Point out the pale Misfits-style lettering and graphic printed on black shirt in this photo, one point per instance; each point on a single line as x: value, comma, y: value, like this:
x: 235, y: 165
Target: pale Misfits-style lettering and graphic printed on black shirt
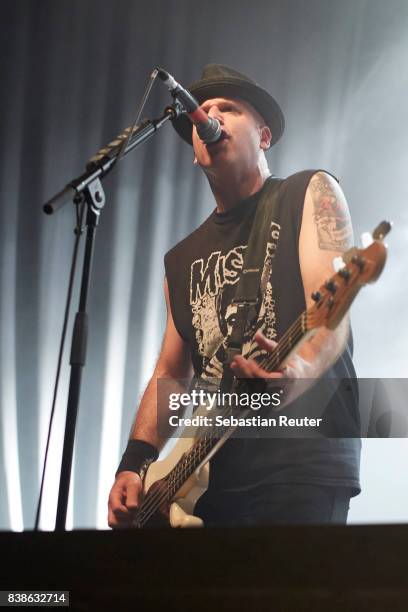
x: 211, y: 291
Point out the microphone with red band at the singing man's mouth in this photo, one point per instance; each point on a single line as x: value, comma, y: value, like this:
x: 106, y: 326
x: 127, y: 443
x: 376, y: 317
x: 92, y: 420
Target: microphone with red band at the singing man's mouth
x: 208, y: 129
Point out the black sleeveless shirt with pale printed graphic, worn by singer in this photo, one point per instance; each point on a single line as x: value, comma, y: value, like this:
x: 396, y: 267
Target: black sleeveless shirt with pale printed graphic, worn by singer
x: 202, y: 271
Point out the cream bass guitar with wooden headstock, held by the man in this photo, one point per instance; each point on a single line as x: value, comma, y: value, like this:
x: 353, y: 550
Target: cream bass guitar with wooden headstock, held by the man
x: 173, y: 485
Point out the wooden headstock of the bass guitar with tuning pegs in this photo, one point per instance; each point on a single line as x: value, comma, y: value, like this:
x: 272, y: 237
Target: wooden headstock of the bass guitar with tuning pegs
x: 361, y: 266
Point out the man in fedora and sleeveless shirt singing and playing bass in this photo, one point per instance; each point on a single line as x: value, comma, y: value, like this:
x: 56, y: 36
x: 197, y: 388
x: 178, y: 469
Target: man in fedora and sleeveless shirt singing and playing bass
x: 264, y: 480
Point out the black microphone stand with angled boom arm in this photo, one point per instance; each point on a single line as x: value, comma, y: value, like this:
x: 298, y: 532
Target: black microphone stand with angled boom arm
x: 88, y: 189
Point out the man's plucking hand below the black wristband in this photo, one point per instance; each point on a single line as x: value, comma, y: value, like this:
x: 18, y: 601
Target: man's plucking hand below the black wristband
x: 124, y: 500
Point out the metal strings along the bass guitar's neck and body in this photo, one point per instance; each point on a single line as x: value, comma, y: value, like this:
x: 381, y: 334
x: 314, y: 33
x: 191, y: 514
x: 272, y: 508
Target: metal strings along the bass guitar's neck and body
x: 153, y: 502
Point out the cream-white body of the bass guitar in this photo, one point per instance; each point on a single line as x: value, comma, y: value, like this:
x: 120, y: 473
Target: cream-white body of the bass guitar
x: 182, y: 508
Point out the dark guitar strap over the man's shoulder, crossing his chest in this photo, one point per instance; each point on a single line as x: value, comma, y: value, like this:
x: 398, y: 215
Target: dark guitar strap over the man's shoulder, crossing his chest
x: 247, y: 295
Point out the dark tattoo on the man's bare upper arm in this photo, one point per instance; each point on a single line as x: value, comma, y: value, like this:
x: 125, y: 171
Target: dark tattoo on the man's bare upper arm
x: 331, y: 215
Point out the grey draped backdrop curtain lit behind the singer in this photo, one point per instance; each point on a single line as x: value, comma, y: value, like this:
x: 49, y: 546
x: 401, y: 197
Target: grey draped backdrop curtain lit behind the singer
x: 72, y: 73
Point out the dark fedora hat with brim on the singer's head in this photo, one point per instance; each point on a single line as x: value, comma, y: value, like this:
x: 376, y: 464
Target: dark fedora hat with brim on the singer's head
x: 220, y: 81
